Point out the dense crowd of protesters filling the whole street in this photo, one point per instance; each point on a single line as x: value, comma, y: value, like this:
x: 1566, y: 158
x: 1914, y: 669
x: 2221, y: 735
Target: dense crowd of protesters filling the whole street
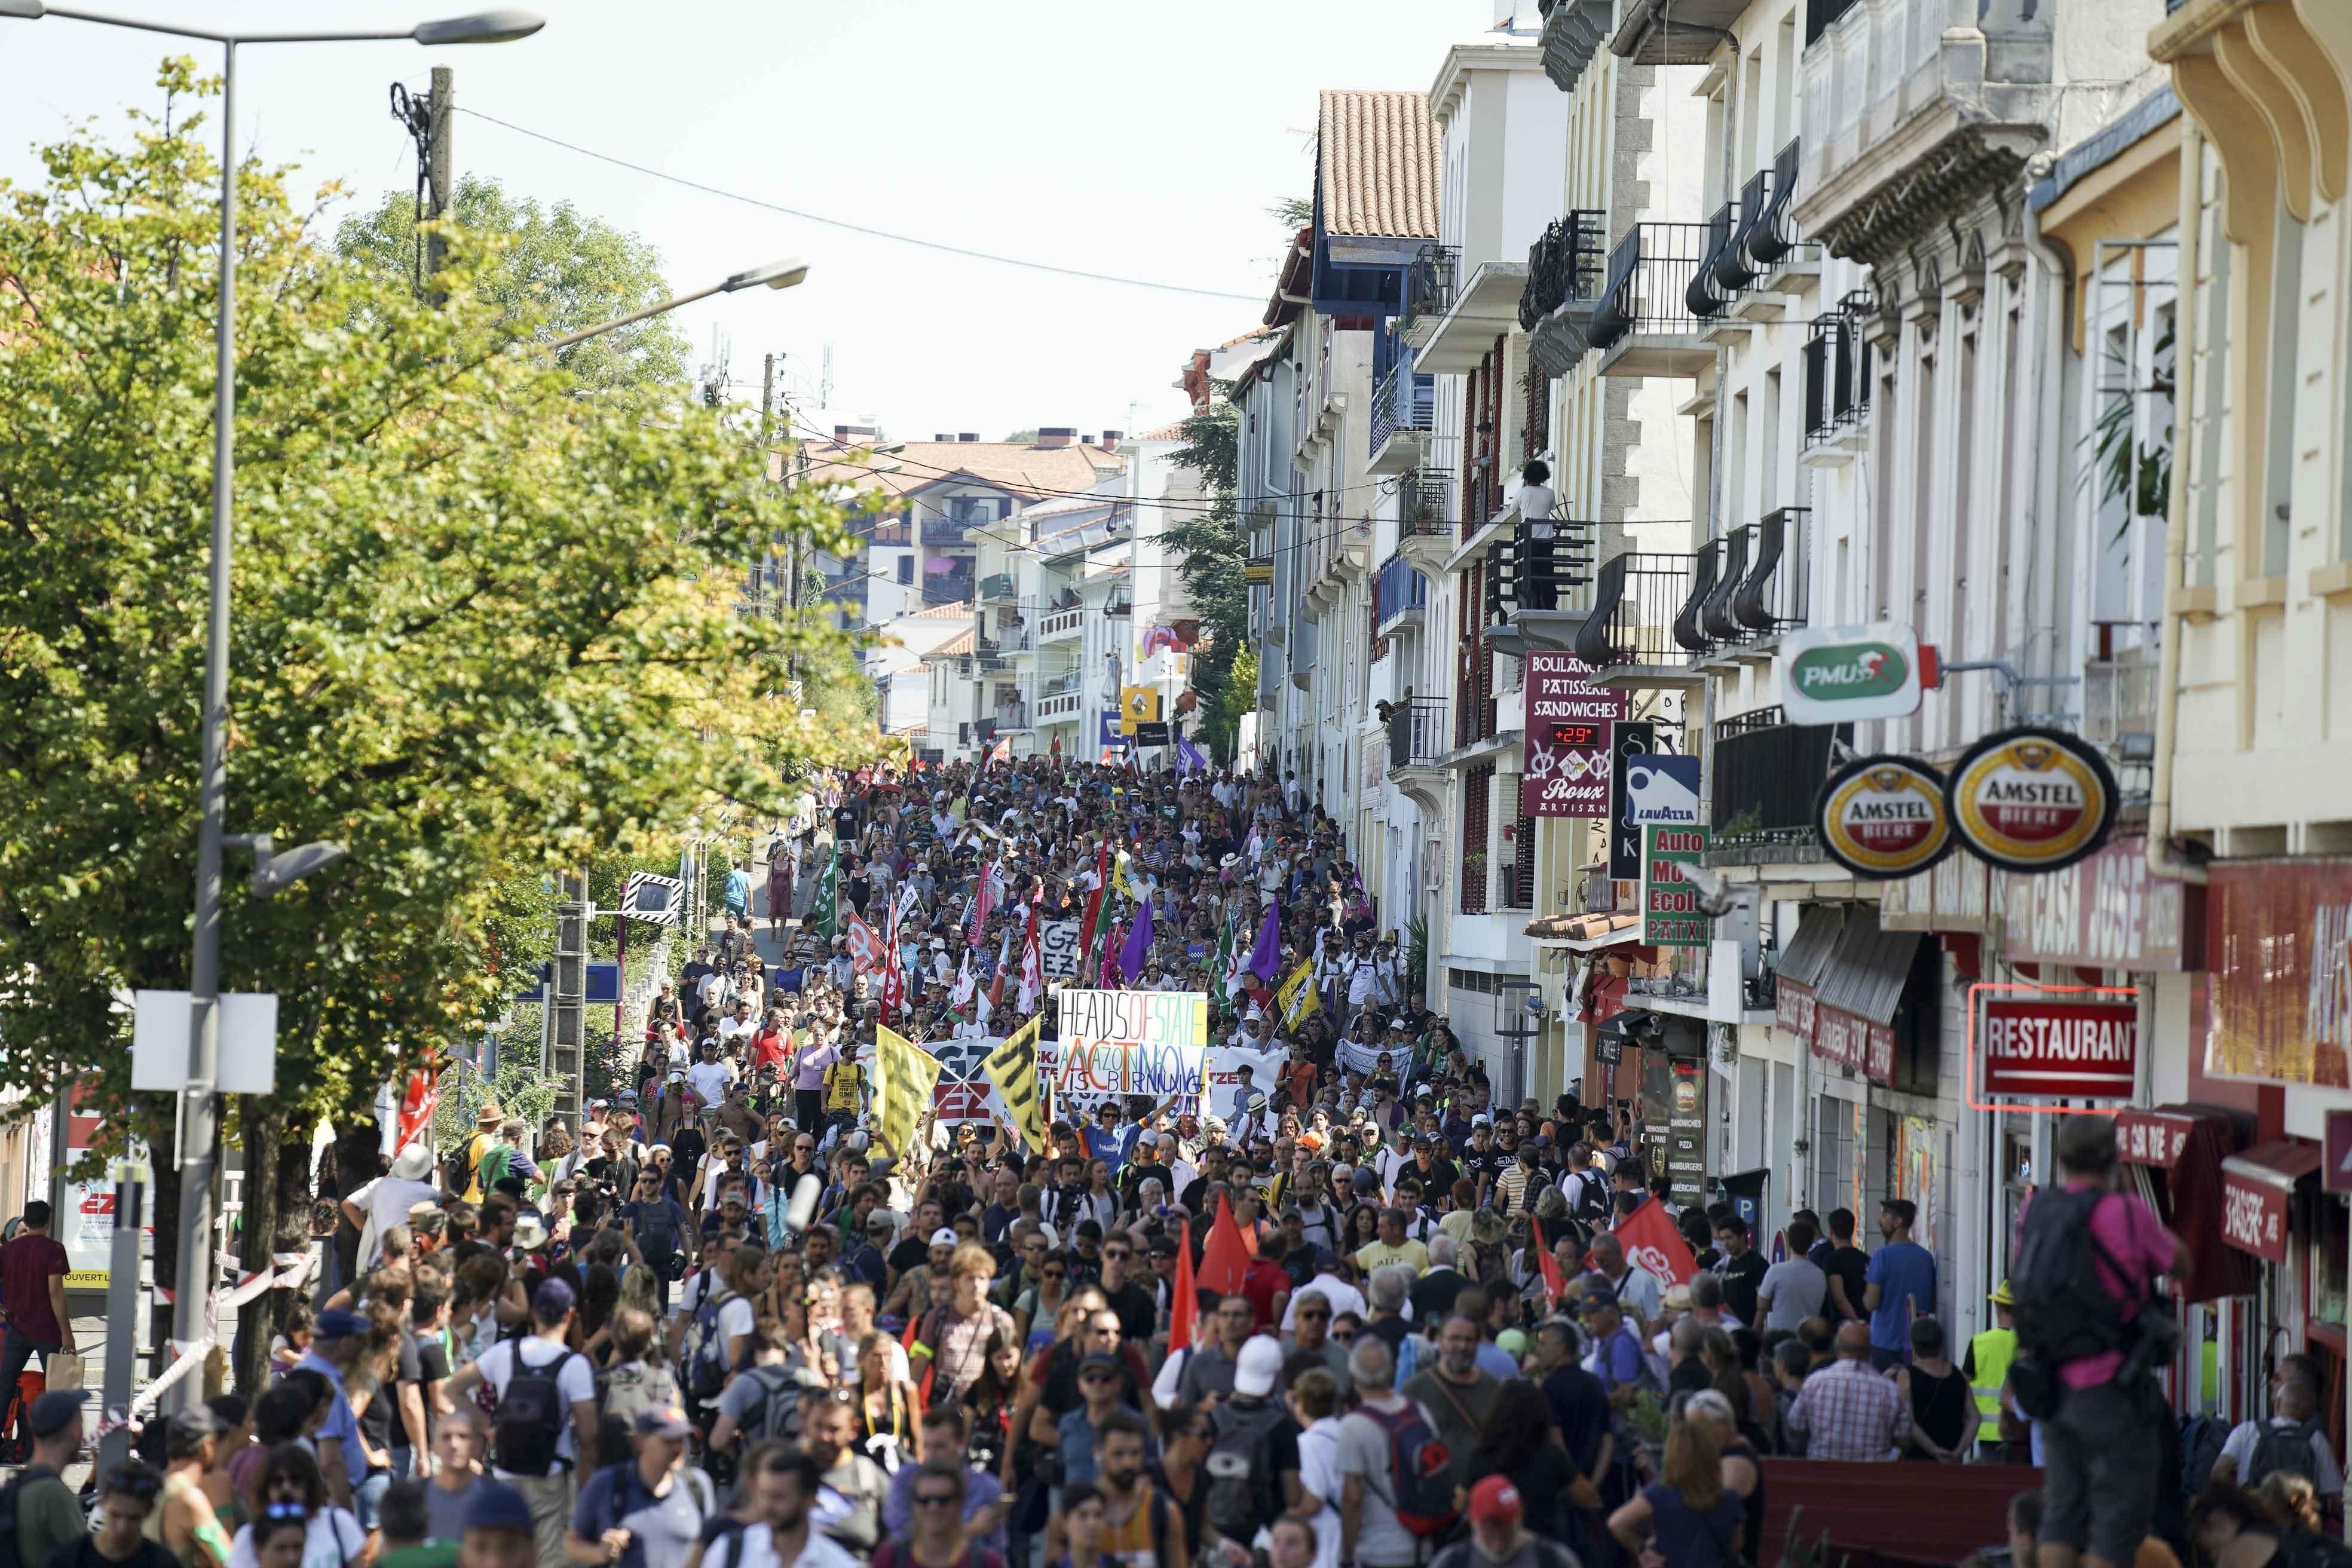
x: 726, y: 1322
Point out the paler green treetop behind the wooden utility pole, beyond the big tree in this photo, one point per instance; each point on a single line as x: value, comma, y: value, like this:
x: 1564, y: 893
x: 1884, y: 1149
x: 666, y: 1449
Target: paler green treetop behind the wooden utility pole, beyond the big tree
x: 552, y: 272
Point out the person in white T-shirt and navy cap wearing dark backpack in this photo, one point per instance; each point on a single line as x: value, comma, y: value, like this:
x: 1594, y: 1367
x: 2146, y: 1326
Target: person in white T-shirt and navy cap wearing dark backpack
x: 540, y: 1398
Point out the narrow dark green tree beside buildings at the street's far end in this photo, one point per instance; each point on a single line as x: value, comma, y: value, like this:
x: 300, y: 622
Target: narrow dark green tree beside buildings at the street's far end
x: 1212, y: 558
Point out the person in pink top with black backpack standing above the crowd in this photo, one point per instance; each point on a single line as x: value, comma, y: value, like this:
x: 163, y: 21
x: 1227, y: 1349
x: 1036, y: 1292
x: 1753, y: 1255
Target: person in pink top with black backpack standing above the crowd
x: 2090, y: 1332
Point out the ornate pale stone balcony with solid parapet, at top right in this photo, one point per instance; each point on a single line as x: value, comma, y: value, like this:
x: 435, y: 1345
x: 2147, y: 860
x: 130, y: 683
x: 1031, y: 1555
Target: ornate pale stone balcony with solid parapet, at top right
x: 1904, y: 128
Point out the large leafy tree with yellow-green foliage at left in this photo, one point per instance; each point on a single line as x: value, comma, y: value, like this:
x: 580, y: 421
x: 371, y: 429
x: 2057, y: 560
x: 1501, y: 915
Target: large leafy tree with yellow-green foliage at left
x: 483, y: 631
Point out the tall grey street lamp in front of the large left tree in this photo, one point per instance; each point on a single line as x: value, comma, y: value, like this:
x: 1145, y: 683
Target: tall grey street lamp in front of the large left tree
x: 199, y: 1127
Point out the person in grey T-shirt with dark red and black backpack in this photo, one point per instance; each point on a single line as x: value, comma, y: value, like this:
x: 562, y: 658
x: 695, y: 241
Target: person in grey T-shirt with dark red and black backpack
x: 1396, y: 1477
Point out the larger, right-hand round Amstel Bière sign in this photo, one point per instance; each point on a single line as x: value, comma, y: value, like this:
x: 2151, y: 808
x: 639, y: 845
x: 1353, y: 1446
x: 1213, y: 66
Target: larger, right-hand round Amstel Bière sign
x: 2031, y: 800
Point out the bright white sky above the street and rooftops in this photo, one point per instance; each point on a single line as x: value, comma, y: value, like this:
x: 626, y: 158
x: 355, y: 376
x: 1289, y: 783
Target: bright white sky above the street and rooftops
x: 1130, y: 138
